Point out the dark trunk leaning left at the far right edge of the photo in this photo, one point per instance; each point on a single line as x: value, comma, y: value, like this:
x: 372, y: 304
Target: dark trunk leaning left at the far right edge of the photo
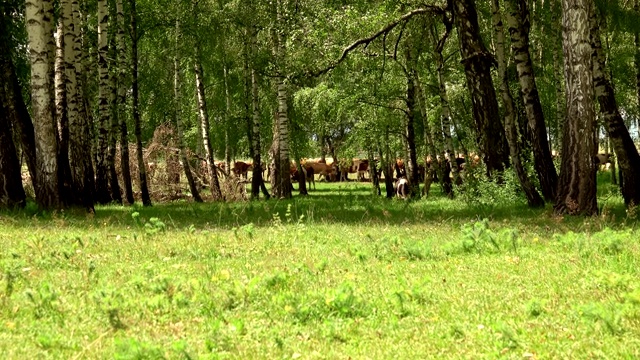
x: 627, y: 154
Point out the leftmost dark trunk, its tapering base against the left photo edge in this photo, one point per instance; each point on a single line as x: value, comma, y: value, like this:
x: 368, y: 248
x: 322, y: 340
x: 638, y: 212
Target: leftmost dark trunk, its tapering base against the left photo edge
x: 11, y: 191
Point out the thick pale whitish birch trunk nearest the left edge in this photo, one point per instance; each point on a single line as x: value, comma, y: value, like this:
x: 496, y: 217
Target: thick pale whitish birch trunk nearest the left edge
x: 46, y: 181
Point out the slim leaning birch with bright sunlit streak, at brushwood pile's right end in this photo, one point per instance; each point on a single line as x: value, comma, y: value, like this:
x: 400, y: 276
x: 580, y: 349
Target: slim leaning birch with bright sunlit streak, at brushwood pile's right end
x: 214, y: 184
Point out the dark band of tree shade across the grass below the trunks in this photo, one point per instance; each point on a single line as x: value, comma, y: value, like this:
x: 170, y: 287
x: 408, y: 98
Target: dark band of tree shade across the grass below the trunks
x: 347, y: 204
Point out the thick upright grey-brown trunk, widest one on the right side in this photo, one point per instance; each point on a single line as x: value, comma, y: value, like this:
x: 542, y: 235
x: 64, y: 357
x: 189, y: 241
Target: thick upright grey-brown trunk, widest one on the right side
x: 577, y: 185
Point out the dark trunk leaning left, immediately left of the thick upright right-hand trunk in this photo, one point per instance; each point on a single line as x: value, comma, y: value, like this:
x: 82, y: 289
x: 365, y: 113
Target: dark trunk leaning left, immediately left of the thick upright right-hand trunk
x: 518, y: 22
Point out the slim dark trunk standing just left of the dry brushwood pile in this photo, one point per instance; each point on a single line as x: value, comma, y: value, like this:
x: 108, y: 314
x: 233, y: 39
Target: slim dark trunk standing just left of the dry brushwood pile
x: 144, y: 187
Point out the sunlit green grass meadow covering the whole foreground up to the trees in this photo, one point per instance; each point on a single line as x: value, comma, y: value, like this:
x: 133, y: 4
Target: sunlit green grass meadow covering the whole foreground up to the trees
x: 339, y: 274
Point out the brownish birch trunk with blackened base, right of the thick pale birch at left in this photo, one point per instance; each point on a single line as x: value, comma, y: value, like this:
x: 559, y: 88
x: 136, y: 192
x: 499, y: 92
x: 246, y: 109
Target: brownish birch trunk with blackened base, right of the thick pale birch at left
x: 80, y: 163
